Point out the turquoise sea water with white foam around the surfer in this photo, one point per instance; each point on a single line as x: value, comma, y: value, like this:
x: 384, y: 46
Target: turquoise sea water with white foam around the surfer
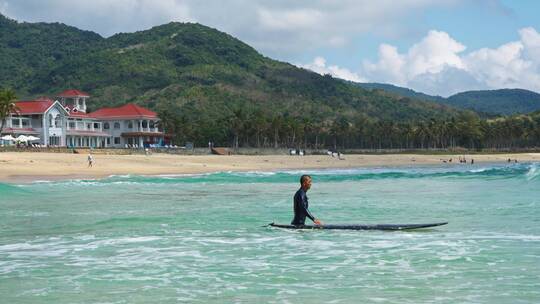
x: 198, y: 239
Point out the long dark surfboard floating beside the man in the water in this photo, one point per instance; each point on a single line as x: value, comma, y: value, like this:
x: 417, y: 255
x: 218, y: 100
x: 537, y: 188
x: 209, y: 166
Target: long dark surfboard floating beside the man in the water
x: 362, y: 226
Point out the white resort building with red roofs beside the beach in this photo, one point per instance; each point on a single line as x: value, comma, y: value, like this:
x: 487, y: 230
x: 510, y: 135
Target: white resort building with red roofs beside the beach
x: 65, y: 122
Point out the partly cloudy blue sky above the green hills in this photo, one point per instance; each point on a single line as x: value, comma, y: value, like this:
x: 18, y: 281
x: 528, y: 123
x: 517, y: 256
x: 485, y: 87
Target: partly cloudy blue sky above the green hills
x: 436, y: 46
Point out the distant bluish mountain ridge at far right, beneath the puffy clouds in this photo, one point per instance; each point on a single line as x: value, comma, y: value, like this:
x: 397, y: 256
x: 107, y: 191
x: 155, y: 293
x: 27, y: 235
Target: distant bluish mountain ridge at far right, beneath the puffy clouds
x: 494, y: 102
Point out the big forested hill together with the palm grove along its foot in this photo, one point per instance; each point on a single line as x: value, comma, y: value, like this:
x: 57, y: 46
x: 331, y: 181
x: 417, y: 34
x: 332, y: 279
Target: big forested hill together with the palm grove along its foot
x: 207, y: 85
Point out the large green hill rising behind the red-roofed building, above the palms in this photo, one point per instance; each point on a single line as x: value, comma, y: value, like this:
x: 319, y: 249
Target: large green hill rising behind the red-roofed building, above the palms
x: 203, y: 82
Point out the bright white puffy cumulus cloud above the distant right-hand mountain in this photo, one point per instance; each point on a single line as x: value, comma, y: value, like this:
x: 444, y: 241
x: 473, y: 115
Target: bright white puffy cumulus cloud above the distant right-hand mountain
x: 438, y: 65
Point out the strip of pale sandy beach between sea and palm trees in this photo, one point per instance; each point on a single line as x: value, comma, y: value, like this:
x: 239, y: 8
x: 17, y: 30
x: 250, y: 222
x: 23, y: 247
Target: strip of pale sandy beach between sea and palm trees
x: 27, y: 167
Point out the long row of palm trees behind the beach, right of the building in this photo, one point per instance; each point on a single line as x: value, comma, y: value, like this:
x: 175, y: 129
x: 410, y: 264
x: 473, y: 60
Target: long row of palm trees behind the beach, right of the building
x: 260, y: 129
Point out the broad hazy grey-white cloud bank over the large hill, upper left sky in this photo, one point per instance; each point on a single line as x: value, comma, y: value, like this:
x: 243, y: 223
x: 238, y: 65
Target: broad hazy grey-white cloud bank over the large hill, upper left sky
x: 278, y: 28
